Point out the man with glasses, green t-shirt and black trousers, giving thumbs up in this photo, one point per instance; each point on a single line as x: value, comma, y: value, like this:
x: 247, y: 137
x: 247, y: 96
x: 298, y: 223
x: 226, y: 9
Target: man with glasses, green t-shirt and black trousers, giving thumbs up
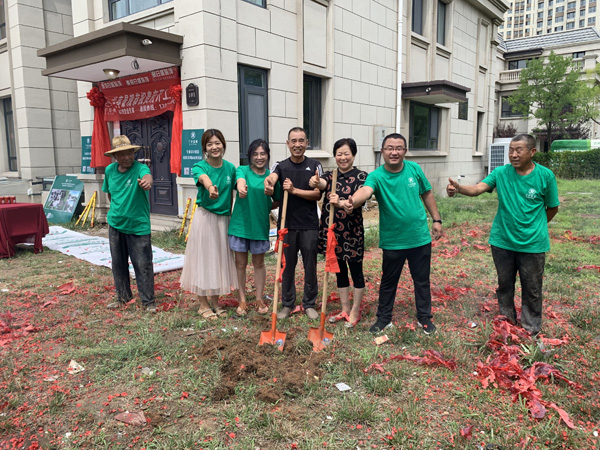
x: 401, y: 189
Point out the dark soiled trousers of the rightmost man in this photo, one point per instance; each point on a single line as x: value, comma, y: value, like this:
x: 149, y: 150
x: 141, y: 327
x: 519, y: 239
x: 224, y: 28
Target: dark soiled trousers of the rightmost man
x: 530, y: 267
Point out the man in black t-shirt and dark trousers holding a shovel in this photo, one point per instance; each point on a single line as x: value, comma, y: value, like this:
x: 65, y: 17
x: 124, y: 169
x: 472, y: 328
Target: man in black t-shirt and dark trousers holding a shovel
x: 301, y: 220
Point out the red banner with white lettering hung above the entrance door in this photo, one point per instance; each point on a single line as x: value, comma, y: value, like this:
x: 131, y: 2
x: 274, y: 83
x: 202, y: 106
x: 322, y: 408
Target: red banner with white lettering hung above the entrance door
x: 140, y: 96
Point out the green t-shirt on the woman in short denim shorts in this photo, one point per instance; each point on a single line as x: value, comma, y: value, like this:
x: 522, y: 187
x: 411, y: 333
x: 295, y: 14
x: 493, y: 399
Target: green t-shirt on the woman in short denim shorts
x: 250, y: 217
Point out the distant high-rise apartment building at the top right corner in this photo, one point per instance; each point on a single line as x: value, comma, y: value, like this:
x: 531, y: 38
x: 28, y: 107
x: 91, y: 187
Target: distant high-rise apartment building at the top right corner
x: 540, y: 17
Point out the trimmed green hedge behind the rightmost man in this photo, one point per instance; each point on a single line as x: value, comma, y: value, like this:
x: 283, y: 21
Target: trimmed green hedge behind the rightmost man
x: 572, y: 165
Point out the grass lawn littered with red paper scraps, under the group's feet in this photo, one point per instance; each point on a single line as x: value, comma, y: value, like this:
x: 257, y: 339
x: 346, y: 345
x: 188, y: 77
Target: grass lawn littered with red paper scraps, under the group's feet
x: 206, y: 384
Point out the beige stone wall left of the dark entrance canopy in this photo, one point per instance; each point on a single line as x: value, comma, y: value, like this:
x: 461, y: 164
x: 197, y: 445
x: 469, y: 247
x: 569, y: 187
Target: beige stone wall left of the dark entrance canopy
x: 45, y: 110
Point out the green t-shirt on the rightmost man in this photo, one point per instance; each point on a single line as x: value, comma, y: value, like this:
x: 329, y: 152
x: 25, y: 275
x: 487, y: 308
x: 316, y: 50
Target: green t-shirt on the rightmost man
x: 520, y: 224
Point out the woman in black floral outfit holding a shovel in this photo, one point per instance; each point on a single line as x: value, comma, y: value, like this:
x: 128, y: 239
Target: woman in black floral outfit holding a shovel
x: 348, y: 229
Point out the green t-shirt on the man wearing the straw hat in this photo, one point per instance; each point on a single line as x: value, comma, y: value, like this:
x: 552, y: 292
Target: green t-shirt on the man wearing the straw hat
x: 129, y: 203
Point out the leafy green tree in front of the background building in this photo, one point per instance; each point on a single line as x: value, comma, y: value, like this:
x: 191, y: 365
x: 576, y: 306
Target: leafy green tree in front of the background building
x: 555, y: 93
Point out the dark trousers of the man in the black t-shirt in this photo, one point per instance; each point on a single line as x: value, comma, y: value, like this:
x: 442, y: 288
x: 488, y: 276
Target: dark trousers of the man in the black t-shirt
x: 306, y: 242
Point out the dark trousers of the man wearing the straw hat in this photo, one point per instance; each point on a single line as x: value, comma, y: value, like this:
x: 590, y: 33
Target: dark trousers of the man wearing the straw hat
x: 139, y: 250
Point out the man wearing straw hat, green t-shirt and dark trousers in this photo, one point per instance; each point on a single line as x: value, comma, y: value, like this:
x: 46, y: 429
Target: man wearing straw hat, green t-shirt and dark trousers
x: 127, y: 183
